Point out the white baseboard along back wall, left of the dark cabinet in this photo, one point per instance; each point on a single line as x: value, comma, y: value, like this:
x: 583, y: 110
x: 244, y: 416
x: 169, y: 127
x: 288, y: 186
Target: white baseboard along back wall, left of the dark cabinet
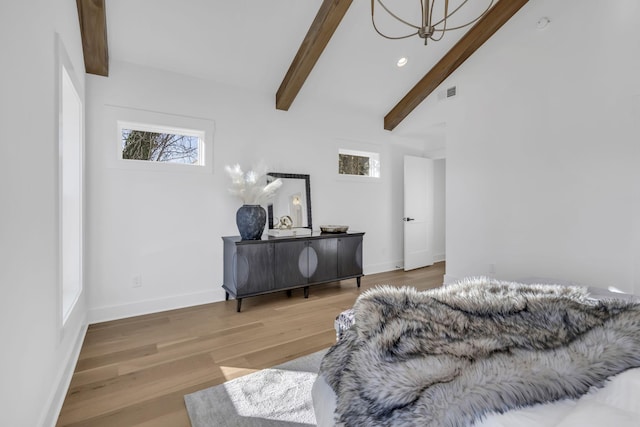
x: 104, y: 314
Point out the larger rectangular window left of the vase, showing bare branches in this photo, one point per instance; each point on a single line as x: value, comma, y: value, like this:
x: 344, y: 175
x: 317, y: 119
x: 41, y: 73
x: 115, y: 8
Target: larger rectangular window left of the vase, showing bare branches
x: 155, y: 143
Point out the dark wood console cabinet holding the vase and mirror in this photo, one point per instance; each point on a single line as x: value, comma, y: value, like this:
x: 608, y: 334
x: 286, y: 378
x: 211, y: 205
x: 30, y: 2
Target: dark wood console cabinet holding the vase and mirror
x: 256, y: 267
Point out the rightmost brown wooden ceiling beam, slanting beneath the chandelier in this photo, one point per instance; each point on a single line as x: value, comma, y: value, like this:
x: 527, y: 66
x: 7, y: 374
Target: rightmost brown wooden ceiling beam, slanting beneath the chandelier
x: 499, y: 14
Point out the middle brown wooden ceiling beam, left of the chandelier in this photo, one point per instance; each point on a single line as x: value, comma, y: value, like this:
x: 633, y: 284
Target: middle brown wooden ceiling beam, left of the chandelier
x: 324, y: 25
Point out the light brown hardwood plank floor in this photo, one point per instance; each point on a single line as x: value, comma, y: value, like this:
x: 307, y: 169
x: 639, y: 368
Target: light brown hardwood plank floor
x: 135, y: 371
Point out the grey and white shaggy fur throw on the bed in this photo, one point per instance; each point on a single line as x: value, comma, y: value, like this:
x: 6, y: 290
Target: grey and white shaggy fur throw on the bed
x: 447, y: 356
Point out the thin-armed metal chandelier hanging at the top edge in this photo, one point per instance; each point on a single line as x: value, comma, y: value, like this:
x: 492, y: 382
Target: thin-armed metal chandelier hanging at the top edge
x: 428, y: 29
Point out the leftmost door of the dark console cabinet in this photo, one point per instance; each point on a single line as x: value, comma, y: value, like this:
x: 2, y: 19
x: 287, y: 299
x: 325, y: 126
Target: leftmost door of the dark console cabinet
x: 253, y: 268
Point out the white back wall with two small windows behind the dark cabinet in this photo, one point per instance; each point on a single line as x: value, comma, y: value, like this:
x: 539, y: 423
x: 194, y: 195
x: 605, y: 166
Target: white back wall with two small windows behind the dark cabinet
x: 167, y: 226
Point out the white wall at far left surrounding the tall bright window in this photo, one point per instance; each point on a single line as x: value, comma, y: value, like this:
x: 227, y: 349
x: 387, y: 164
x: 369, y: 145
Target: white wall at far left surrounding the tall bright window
x: 37, y: 356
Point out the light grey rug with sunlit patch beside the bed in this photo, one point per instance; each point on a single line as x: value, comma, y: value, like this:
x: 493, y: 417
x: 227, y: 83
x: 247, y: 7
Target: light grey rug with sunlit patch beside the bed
x: 279, y: 396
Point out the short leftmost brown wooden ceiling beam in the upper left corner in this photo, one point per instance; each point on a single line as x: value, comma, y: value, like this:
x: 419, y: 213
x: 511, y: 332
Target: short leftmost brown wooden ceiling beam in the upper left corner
x: 93, y: 30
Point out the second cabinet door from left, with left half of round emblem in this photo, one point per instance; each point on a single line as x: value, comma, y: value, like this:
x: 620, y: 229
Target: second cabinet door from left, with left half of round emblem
x: 291, y: 264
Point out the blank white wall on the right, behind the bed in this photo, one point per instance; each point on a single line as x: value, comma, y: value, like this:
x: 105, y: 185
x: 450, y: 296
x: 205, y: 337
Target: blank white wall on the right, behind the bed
x: 542, y: 148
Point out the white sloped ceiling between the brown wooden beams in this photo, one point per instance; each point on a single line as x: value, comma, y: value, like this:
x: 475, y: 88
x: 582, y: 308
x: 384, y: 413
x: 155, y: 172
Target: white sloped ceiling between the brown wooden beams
x: 251, y: 43
